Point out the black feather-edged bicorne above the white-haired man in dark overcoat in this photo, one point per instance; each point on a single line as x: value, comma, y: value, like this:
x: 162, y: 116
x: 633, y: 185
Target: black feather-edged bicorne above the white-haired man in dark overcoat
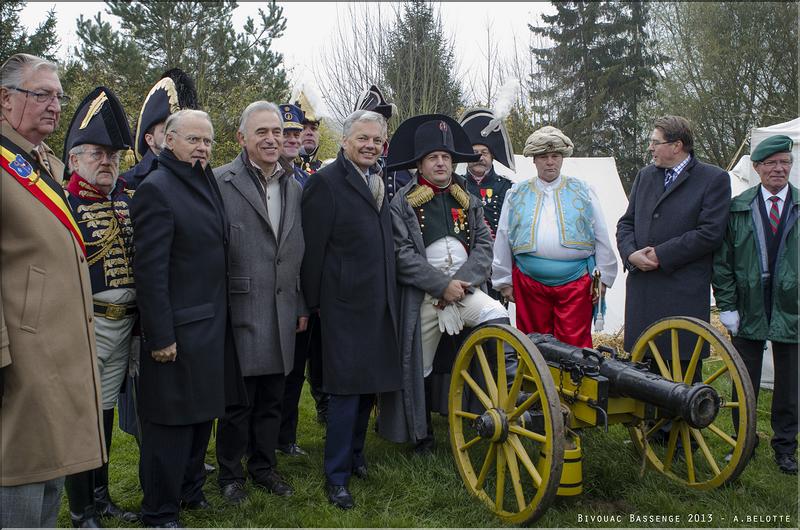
x: 174, y: 91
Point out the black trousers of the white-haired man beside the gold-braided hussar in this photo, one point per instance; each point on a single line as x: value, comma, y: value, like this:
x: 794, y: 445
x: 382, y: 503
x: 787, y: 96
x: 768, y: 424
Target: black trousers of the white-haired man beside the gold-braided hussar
x: 171, y: 468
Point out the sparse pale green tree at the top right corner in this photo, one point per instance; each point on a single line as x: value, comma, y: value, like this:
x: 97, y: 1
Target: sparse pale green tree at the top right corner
x: 733, y: 66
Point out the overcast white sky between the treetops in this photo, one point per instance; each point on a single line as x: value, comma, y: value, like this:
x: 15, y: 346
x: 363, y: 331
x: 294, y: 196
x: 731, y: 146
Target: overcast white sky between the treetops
x: 311, y: 25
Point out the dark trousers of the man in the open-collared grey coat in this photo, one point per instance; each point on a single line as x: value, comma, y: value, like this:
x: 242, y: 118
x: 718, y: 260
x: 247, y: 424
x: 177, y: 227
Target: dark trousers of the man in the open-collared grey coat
x: 251, y: 429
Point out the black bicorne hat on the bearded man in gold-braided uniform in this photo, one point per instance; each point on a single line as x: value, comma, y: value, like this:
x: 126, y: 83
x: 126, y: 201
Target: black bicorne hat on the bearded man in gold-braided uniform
x: 100, y: 120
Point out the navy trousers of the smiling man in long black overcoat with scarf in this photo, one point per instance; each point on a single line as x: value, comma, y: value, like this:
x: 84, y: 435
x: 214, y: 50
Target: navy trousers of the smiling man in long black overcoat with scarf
x: 348, y: 417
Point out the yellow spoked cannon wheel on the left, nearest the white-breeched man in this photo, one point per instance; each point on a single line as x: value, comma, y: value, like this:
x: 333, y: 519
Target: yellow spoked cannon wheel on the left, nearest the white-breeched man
x: 506, y: 429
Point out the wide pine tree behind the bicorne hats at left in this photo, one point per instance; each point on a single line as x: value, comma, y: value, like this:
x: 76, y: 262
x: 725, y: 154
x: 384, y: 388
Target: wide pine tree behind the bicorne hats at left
x: 230, y: 67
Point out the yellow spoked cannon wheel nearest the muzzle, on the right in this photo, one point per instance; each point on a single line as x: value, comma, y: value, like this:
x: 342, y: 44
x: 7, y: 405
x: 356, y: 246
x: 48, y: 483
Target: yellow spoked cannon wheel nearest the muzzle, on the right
x: 698, y: 458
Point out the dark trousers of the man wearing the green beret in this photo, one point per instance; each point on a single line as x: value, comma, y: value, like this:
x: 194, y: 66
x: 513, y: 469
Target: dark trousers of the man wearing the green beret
x: 784, y: 398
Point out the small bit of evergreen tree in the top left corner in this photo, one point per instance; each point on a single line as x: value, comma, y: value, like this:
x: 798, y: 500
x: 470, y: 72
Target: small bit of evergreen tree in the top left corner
x: 15, y: 38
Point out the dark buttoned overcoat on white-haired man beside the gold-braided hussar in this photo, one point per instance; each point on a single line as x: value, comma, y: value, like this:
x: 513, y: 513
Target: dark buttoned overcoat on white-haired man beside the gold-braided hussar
x: 180, y: 269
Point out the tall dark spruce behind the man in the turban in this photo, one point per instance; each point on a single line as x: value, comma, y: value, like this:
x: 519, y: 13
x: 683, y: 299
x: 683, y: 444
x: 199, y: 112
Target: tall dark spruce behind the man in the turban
x: 601, y: 72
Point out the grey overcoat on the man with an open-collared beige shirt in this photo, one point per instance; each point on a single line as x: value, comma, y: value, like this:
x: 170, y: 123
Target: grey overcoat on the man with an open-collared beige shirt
x: 264, y: 283
